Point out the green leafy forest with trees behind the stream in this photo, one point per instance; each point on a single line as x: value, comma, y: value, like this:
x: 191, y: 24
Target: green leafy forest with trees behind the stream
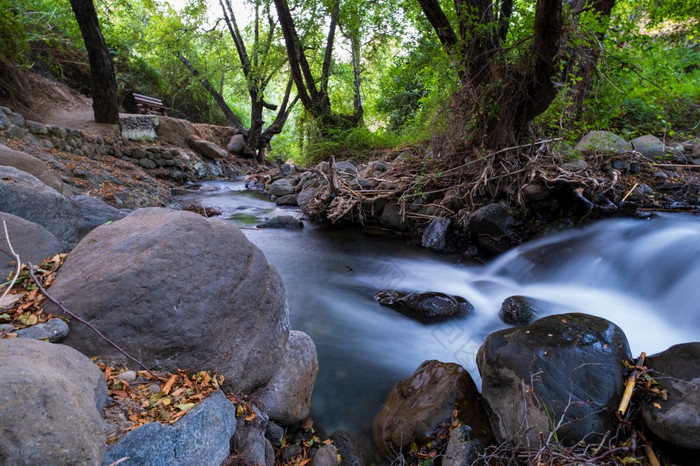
x: 358, y: 76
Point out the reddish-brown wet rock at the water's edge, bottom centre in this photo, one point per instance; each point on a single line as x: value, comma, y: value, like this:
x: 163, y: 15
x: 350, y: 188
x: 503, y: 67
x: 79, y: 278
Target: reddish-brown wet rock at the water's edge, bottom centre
x: 418, y: 403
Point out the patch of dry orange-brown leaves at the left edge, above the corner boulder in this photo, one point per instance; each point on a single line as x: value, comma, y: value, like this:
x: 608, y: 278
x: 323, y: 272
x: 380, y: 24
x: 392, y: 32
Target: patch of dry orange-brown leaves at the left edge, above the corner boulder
x: 22, y: 307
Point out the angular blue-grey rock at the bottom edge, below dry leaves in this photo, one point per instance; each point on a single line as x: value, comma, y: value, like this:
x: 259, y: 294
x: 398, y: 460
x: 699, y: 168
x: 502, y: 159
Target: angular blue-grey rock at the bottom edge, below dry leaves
x: 203, y: 433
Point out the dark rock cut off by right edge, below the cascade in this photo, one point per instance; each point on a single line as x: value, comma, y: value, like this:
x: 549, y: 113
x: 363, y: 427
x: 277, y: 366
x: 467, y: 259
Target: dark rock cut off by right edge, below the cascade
x: 677, y: 421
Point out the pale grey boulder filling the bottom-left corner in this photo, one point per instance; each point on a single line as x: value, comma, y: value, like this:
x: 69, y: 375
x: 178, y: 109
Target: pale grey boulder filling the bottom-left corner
x: 51, y: 398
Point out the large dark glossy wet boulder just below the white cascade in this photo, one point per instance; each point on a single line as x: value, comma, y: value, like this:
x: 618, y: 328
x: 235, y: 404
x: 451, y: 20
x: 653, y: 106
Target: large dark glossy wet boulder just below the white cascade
x: 563, y: 370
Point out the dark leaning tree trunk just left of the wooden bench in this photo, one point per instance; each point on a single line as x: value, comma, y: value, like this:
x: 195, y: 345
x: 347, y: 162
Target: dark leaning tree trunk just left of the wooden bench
x: 105, y: 102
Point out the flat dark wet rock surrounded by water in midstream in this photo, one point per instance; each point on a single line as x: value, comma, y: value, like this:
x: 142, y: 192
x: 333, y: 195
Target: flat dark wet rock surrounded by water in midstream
x: 426, y: 307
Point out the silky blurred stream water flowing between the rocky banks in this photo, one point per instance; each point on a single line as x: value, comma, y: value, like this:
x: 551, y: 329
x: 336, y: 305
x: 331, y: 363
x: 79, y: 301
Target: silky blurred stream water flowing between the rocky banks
x: 643, y: 275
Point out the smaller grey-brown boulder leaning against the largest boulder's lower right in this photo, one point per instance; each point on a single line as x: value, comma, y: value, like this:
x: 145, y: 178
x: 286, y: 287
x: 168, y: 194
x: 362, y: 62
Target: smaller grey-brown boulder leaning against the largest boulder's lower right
x: 287, y: 397
